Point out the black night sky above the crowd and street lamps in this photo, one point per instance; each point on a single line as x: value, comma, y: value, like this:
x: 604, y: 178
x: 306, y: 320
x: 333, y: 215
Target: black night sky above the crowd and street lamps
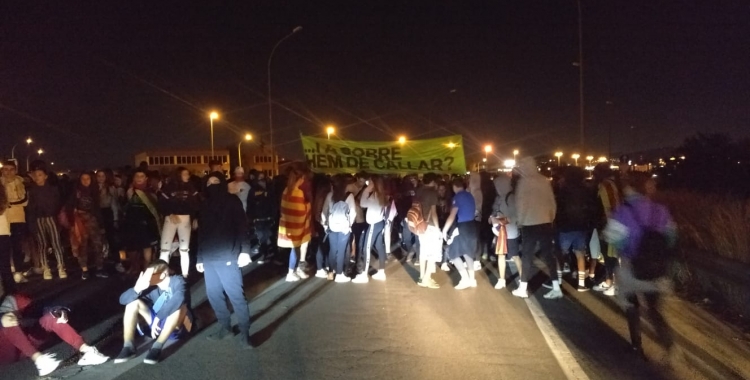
x: 94, y: 84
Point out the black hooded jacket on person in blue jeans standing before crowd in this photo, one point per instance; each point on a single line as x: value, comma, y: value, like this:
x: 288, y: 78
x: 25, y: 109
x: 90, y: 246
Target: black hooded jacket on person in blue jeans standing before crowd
x: 223, y: 225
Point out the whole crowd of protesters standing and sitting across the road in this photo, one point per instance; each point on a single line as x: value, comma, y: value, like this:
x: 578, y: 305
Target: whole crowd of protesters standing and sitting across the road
x: 330, y: 225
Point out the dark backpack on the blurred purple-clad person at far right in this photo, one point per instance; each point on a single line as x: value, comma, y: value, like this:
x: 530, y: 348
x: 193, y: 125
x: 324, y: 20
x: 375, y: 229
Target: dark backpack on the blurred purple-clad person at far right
x: 653, y: 256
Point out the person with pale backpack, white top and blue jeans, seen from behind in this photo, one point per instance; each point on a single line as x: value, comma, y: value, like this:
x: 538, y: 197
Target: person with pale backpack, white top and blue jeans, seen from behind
x: 337, y: 217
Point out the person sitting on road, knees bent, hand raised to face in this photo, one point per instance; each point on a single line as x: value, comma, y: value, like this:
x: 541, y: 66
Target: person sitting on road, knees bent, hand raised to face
x: 160, y: 299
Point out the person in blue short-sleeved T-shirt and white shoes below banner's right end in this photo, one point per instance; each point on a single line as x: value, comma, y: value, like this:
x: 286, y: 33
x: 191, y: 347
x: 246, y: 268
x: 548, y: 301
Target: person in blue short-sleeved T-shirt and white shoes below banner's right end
x: 462, y: 238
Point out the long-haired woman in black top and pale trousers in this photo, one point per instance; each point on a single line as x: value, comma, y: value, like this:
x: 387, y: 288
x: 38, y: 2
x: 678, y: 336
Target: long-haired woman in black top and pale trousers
x: 178, y: 202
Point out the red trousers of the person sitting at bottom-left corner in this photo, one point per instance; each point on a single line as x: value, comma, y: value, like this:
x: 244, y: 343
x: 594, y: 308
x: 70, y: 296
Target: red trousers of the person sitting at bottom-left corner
x: 15, y: 342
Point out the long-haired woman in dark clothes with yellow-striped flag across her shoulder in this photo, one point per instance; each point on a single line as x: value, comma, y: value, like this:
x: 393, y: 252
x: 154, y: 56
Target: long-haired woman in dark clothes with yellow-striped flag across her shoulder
x: 141, y: 222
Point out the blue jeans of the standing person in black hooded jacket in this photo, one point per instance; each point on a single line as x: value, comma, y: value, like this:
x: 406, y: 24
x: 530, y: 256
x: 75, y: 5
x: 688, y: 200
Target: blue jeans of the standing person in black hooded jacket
x: 222, y: 278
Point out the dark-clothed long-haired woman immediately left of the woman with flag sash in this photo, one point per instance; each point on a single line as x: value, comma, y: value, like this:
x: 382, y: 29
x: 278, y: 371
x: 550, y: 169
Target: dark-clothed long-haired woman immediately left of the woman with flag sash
x: 109, y: 208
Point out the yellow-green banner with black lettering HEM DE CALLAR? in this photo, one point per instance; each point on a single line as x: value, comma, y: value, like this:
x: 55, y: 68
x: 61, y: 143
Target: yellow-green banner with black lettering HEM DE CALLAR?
x: 443, y: 155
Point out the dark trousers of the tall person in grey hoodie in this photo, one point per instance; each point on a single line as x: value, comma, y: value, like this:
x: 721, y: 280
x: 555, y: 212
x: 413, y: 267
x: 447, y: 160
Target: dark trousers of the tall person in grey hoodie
x: 542, y: 236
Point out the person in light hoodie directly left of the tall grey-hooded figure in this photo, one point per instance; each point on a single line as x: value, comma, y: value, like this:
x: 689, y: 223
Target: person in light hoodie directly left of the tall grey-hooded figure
x: 504, y: 225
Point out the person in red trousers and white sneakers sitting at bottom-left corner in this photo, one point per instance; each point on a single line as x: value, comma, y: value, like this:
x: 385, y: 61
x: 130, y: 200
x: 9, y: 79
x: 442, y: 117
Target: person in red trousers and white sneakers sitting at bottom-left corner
x: 23, y: 336
